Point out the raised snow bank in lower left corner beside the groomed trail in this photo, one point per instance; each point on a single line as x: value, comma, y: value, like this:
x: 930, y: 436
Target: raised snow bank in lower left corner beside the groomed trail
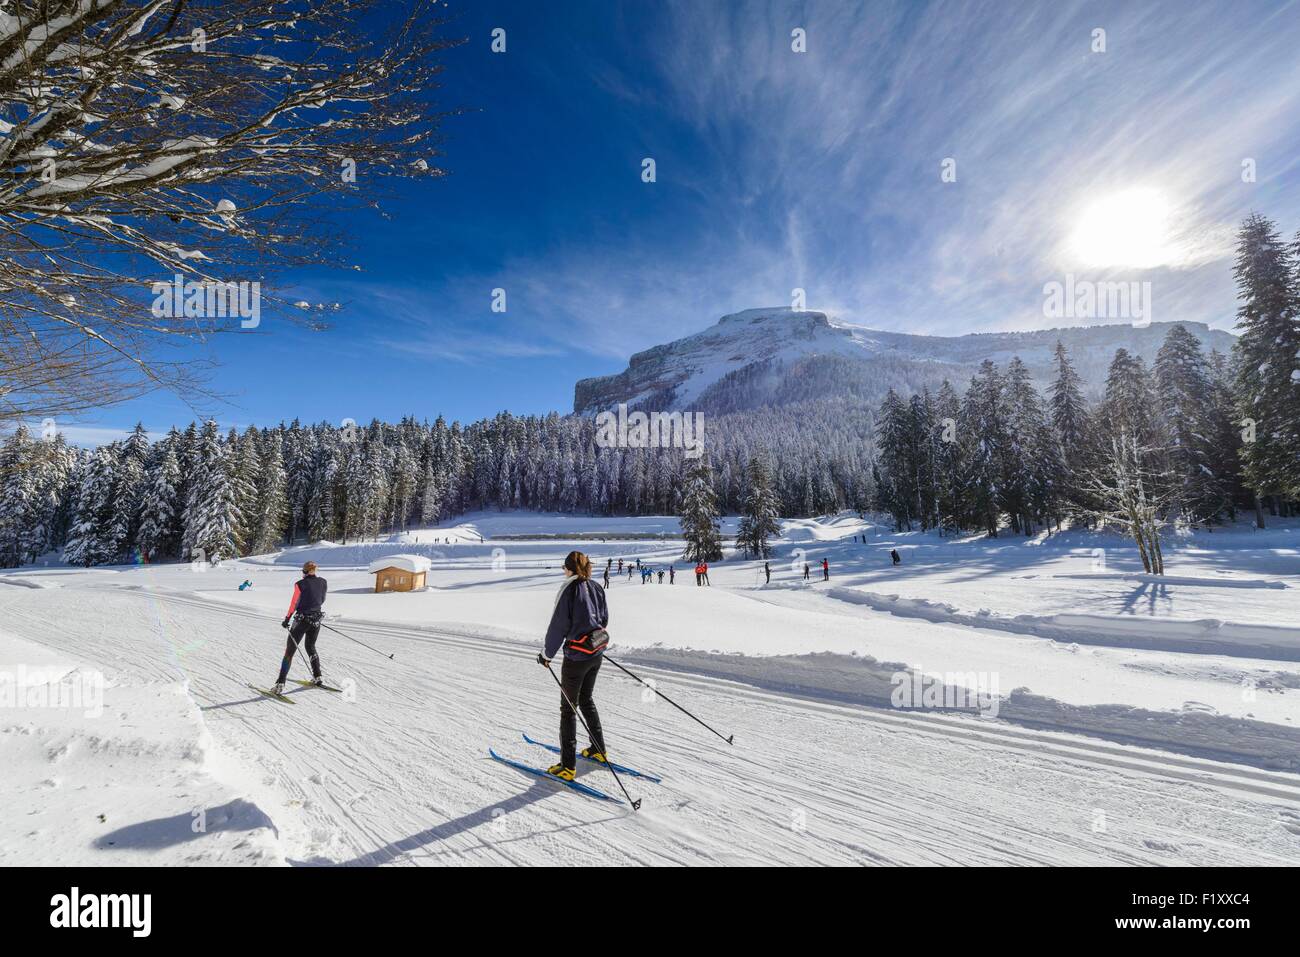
x: 105, y: 773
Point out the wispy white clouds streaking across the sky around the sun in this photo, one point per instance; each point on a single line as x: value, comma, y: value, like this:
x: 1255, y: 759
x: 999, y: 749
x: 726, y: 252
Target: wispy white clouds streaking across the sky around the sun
x: 824, y: 170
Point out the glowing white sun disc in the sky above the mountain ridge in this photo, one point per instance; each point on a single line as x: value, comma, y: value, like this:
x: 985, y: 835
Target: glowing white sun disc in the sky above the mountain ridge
x: 1130, y: 228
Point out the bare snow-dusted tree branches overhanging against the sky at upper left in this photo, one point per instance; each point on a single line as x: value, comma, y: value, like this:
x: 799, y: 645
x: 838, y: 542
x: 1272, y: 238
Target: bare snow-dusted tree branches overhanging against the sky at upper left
x: 159, y: 138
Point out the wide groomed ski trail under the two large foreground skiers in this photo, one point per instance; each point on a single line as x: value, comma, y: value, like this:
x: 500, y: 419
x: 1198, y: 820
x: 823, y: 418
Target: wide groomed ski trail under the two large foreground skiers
x: 400, y: 774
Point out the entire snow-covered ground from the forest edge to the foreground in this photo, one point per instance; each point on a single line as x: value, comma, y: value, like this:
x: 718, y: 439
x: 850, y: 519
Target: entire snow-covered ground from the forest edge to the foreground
x: 1124, y: 721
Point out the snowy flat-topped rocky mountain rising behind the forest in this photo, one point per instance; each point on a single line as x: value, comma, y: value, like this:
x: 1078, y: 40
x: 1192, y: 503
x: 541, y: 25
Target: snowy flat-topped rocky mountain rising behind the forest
x: 781, y: 356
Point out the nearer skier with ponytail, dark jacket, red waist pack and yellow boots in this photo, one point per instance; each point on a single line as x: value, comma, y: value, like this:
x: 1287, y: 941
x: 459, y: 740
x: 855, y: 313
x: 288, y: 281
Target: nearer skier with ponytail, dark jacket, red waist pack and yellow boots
x: 578, y: 626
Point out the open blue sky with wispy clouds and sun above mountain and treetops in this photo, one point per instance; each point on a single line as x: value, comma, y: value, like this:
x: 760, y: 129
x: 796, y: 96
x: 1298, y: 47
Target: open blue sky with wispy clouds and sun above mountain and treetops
x: 779, y: 171
